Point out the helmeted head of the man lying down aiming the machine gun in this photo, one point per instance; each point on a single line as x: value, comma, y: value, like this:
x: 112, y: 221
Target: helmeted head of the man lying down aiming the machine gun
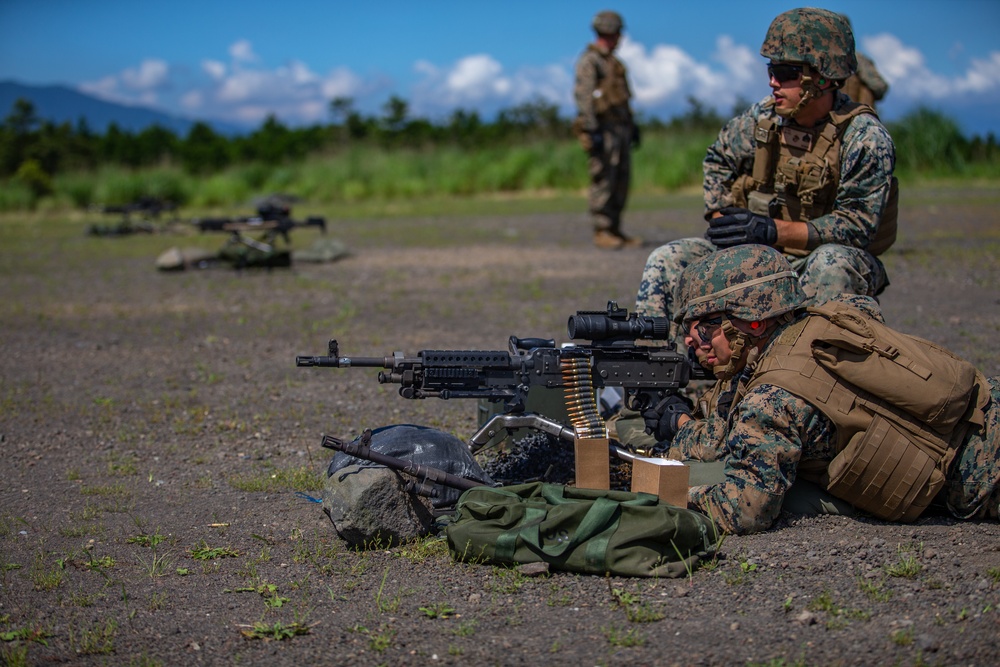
x: 744, y: 292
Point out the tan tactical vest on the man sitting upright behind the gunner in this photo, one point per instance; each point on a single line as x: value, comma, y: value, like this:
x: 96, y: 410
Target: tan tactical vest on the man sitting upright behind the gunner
x: 796, y: 173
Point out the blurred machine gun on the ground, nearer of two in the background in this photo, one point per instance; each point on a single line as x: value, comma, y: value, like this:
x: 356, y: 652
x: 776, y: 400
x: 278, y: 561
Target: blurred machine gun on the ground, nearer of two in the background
x: 273, y: 221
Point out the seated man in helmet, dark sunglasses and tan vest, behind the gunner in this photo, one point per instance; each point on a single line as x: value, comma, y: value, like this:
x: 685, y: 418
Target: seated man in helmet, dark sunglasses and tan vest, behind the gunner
x: 806, y: 171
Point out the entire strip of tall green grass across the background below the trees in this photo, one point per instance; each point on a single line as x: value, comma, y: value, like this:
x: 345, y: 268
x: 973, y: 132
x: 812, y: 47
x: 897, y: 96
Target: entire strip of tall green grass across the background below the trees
x: 928, y: 145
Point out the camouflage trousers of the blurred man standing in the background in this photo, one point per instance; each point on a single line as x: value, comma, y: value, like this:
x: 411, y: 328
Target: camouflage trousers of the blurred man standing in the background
x: 610, y: 172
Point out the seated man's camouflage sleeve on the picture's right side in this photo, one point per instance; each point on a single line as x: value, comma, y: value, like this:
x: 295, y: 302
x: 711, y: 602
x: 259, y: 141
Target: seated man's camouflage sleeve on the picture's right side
x: 867, y: 162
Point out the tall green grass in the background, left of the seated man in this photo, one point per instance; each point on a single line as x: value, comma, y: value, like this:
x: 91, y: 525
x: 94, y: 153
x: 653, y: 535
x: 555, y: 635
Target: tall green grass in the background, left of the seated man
x: 360, y: 173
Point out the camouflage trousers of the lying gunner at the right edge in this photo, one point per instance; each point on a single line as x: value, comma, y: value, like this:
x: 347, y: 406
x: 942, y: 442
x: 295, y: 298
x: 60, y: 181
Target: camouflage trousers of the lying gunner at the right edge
x: 972, y: 489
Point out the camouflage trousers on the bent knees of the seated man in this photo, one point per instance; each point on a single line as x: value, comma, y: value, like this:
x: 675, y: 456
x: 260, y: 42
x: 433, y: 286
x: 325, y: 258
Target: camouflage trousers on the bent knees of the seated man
x: 827, y: 272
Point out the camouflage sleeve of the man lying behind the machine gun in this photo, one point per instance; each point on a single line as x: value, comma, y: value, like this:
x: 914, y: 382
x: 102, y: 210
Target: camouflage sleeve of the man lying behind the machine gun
x: 769, y: 429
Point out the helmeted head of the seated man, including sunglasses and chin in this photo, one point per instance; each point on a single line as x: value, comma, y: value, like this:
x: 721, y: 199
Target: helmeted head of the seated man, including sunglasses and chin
x: 813, y: 45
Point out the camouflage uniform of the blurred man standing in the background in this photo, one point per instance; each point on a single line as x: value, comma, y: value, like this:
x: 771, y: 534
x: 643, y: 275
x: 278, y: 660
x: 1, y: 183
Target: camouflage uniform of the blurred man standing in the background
x: 602, y: 99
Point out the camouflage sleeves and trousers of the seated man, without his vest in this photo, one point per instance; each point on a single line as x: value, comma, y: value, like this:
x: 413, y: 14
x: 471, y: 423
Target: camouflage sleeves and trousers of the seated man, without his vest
x: 840, y: 265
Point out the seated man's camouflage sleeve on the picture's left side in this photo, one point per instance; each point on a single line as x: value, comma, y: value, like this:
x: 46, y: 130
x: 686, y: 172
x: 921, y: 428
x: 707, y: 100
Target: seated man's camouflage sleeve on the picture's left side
x: 730, y: 156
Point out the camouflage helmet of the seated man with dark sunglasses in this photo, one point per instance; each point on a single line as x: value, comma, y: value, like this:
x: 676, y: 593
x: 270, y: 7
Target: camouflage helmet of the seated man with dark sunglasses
x: 822, y: 39
